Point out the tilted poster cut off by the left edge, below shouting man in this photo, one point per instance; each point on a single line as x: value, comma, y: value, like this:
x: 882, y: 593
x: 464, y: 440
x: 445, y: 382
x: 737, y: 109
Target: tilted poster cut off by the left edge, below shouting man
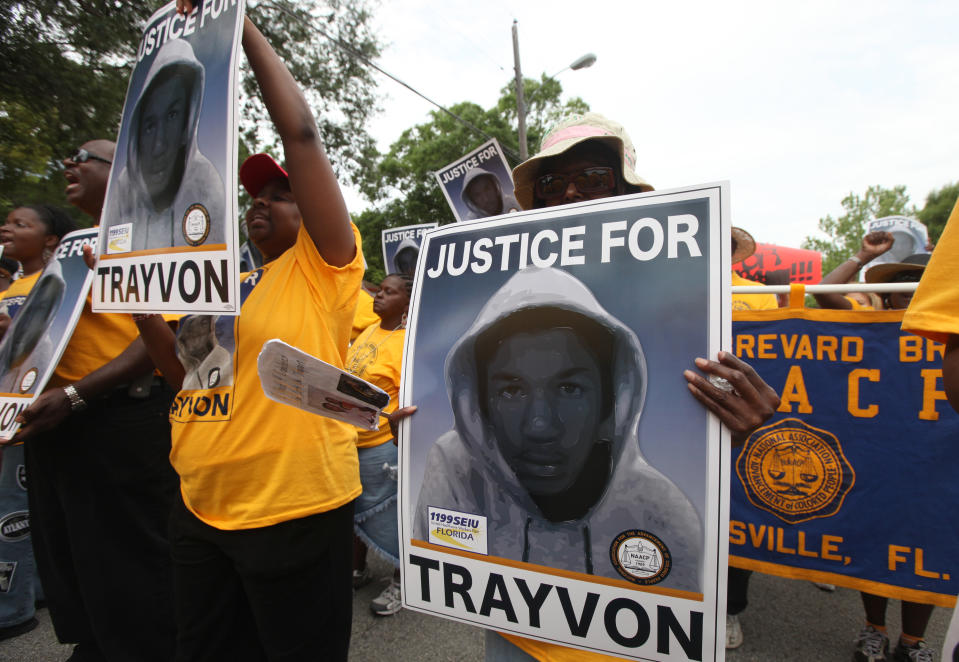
x: 41, y: 329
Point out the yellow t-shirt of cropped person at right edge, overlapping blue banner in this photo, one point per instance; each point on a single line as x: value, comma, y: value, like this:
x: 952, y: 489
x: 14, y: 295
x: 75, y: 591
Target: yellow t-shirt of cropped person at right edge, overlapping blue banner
x: 934, y: 309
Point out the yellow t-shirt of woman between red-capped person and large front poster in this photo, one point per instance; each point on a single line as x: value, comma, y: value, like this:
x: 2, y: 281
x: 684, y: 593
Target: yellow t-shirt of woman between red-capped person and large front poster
x: 377, y: 356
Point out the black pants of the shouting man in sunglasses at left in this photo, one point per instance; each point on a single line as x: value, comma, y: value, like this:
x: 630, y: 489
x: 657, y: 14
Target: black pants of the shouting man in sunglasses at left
x: 101, y: 492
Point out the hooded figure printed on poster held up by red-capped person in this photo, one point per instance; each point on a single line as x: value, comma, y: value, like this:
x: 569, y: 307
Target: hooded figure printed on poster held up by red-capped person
x: 165, y: 172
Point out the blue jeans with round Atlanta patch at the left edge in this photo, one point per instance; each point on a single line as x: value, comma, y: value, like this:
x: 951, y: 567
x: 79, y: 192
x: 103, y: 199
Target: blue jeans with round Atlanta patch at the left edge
x: 18, y: 570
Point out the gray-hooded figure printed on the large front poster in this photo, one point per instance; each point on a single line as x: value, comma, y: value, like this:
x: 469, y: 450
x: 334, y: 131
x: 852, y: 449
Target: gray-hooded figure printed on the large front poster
x: 557, y: 471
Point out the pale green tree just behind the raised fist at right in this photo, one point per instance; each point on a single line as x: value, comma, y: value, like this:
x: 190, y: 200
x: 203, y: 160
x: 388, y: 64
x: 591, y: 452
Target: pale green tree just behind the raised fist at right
x: 844, y: 233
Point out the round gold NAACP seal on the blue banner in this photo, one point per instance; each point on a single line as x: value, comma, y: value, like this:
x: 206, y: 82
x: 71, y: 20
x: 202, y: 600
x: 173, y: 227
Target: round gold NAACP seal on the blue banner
x: 795, y: 471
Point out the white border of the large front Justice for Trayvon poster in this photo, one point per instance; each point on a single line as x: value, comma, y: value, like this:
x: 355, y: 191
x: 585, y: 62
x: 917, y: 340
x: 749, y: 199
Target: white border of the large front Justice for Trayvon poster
x: 713, y: 602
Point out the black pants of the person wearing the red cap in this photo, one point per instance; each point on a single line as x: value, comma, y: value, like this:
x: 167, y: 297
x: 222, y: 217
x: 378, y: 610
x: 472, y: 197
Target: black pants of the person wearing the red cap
x: 279, y: 593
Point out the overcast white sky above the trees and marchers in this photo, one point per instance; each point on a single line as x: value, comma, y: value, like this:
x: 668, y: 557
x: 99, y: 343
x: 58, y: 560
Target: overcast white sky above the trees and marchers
x: 796, y: 104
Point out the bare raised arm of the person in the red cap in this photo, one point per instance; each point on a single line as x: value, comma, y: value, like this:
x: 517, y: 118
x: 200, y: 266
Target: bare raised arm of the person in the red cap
x: 312, y: 179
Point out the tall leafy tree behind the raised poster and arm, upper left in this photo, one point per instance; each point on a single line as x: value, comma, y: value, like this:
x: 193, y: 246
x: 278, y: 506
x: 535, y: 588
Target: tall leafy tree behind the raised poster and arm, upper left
x: 66, y: 66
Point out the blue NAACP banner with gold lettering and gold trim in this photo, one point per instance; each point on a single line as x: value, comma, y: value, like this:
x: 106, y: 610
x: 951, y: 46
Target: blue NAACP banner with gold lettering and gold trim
x: 853, y: 481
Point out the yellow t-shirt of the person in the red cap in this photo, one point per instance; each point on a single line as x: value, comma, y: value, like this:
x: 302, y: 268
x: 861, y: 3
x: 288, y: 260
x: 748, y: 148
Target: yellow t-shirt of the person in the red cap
x: 246, y: 461
